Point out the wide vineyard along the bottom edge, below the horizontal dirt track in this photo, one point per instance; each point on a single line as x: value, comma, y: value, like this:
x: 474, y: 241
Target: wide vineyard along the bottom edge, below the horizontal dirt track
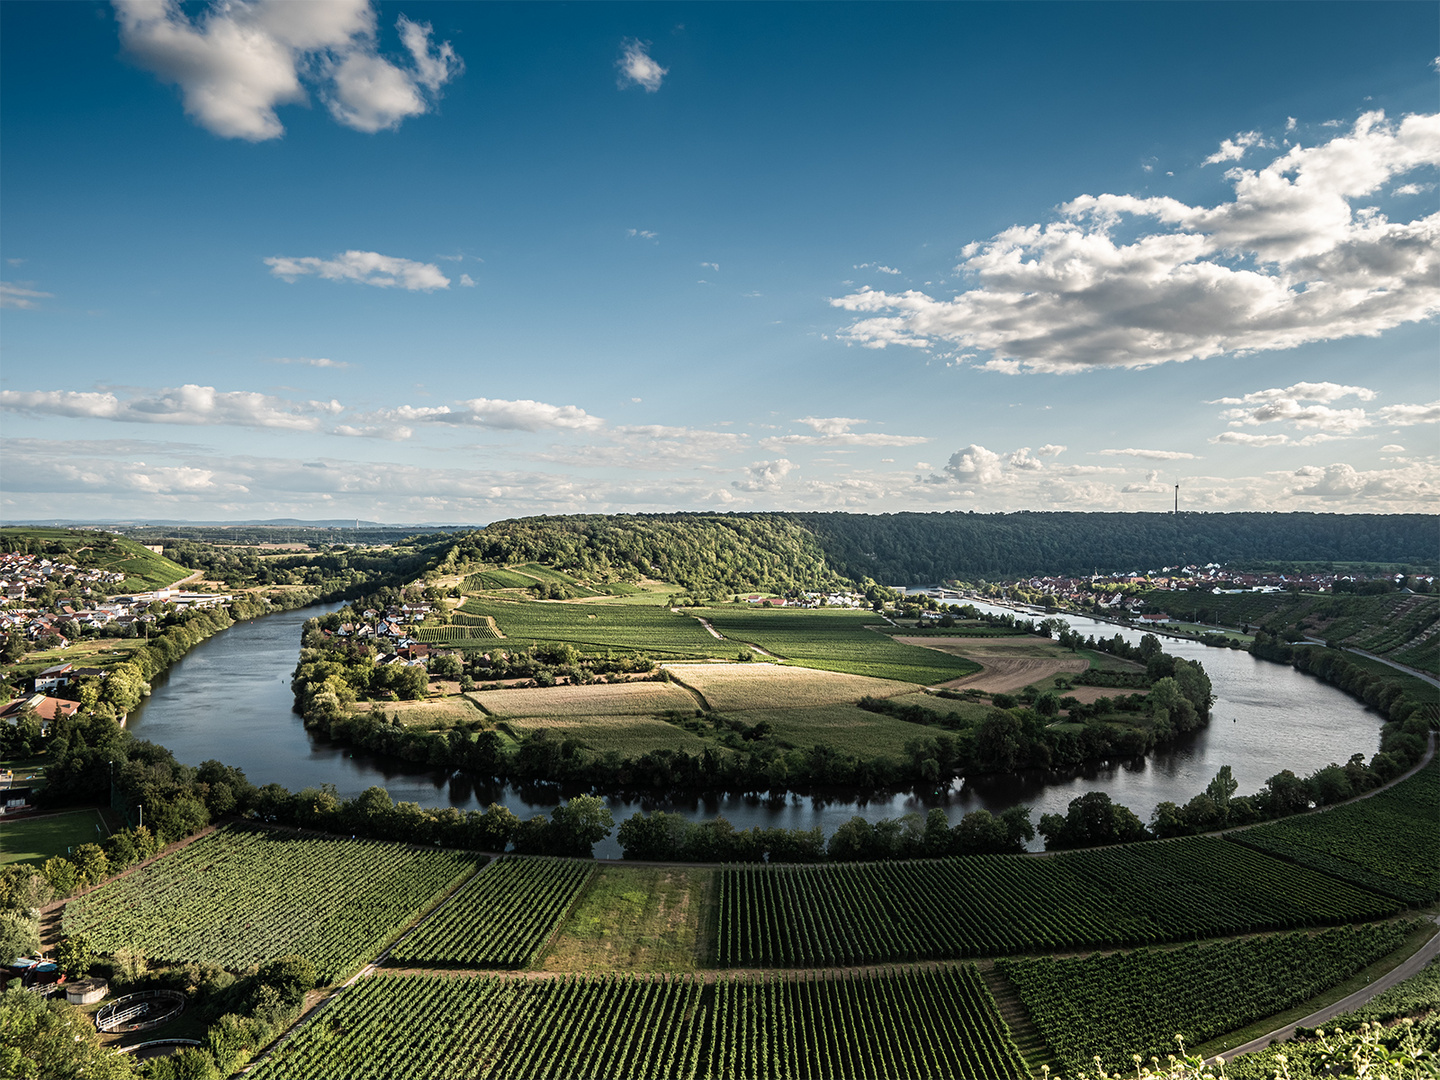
x: 938, y: 1023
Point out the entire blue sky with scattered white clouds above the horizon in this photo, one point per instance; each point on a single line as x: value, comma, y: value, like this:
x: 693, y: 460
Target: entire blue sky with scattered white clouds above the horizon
x: 460, y: 263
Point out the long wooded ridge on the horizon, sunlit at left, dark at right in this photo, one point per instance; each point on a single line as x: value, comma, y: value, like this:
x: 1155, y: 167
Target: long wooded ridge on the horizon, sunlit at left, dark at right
x: 735, y: 552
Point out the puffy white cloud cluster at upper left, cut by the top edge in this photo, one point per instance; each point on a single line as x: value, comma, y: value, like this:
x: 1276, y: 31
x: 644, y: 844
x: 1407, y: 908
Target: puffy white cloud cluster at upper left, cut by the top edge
x: 240, y: 60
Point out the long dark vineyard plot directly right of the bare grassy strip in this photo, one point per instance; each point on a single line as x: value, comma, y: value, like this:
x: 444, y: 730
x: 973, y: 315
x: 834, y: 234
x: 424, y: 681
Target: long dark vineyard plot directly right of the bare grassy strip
x: 997, y: 905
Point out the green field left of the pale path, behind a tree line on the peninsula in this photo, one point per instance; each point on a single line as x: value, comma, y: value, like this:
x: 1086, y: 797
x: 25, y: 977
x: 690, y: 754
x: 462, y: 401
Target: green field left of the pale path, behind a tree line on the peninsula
x: 600, y: 627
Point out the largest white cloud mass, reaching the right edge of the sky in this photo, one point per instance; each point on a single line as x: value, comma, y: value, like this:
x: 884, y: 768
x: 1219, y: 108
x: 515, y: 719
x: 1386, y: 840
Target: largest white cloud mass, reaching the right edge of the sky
x: 1140, y: 282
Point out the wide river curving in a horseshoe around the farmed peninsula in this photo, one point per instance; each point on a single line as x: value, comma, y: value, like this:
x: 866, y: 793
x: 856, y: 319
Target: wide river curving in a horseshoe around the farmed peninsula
x: 230, y: 701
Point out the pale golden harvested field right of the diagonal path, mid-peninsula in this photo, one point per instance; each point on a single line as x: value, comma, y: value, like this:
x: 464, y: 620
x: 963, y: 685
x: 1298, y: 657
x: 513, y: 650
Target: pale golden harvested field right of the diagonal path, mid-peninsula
x: 744, y: 688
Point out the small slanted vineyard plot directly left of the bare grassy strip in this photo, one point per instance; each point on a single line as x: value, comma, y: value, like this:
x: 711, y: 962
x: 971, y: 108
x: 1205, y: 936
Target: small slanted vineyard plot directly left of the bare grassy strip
x: 502, y: 918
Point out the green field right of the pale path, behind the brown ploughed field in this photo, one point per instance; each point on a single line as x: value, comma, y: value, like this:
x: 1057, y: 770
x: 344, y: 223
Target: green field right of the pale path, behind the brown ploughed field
x: 836, y: 640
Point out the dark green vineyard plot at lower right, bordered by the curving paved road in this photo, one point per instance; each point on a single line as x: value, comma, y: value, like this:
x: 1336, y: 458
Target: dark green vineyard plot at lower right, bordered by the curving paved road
x: 1137, y: 1003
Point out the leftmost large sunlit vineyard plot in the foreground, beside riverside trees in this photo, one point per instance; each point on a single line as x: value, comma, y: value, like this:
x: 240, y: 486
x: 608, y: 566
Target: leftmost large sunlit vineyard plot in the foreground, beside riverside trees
x: 244, y: 896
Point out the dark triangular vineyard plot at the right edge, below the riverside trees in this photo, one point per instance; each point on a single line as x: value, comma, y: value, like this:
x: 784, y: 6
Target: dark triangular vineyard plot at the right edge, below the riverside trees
x: 1386, y: 843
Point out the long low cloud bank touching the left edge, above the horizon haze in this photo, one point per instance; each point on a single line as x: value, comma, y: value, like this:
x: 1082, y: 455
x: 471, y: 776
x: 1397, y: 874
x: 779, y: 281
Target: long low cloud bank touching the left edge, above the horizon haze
x: 194, y: 405
